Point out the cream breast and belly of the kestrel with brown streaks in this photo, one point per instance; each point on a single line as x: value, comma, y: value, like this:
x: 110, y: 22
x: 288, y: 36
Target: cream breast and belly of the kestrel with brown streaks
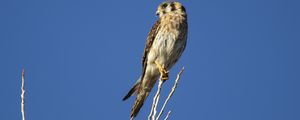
x: 168, y: 45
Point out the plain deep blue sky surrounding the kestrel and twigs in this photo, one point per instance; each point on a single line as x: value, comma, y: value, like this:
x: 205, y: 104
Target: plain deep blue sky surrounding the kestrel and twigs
x: 82, y: 56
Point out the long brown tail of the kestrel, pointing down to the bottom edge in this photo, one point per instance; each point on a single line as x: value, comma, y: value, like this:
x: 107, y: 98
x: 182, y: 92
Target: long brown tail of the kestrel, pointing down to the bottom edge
x: 140, y: 99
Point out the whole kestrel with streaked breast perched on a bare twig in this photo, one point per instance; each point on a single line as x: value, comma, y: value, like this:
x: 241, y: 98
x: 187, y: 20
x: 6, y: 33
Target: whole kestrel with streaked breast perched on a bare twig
x: 165, y: 43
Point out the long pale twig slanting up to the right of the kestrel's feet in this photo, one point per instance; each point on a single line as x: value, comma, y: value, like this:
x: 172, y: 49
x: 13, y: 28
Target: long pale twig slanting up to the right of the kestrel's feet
x: 170, y: 94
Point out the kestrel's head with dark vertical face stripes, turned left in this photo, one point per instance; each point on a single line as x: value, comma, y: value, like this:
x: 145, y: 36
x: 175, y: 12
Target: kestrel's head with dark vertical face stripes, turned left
x: 170, y: 8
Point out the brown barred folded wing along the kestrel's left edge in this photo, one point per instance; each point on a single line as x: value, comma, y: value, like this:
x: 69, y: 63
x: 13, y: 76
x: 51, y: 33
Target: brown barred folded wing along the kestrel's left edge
x: 150, y: 39
